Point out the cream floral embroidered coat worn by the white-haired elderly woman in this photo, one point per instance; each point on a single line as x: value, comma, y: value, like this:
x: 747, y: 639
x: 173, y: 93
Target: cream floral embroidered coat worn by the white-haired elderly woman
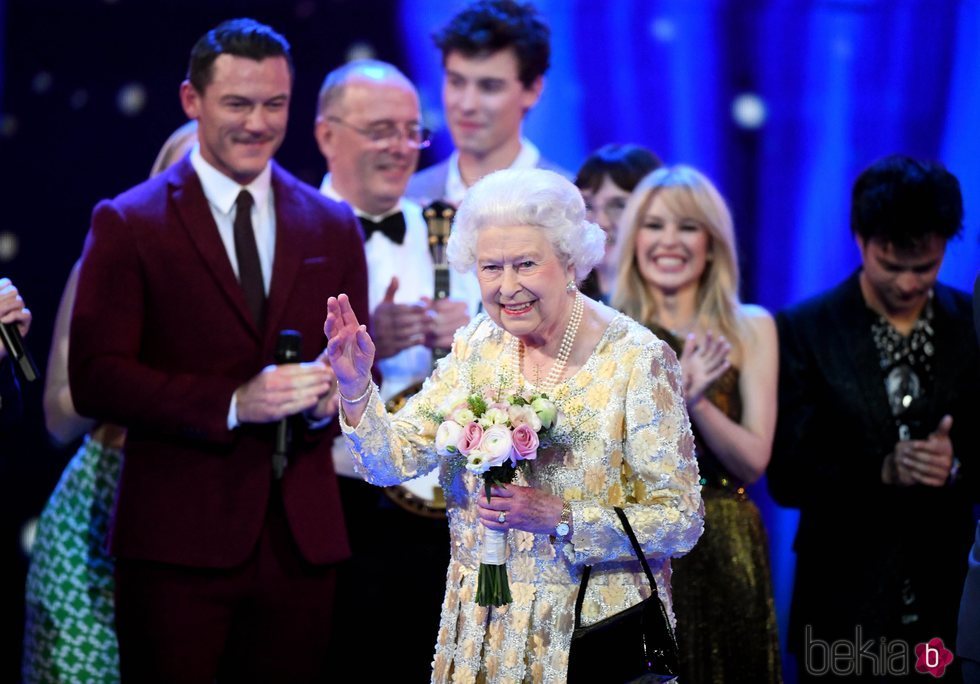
x: 629, y: 444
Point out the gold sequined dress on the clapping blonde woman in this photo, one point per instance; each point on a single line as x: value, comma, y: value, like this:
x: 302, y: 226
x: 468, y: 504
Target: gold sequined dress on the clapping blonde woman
x: 726, y: 619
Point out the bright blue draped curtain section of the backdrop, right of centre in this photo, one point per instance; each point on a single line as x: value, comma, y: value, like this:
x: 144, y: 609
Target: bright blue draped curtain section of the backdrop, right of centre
x: 782, y: 103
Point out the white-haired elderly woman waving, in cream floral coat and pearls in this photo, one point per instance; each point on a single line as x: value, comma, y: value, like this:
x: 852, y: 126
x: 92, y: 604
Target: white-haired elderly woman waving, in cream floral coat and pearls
x: 622, y: 438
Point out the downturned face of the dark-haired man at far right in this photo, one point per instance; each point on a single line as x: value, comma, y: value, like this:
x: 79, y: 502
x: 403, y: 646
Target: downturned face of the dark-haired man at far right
x: 897, y: 282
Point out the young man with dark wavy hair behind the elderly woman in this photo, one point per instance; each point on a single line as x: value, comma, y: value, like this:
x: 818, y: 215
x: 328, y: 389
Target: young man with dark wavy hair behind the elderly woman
x: 494, y: 54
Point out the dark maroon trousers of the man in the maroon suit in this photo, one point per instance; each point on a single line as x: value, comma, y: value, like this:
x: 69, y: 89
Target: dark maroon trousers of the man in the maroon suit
x: 267, y: 620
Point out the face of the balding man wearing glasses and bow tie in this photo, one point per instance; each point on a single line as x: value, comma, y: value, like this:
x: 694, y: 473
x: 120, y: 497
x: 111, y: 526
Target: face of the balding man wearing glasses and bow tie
x: 370, y: 175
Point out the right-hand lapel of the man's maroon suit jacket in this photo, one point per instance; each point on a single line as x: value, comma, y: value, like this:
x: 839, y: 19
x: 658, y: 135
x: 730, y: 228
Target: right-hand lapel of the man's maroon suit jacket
x: 289, y: 241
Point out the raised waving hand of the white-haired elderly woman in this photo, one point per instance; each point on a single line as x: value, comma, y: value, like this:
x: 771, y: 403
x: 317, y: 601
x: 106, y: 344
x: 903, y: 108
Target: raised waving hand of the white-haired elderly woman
x: 350, y: 348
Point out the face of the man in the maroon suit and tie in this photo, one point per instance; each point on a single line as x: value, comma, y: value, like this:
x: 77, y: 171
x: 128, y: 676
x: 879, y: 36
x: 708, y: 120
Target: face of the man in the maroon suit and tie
x: 241, y: 114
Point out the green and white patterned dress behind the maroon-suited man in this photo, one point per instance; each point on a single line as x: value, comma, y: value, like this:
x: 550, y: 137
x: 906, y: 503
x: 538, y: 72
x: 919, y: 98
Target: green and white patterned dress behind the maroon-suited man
x: 69, y: 635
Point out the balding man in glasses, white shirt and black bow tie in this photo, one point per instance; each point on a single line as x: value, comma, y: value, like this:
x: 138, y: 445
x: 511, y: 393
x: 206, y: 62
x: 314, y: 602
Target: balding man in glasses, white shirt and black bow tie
x: 368, y: 129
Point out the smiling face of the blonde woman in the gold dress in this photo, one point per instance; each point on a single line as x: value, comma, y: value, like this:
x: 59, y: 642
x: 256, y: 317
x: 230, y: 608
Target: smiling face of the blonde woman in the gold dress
x: 671, y: 248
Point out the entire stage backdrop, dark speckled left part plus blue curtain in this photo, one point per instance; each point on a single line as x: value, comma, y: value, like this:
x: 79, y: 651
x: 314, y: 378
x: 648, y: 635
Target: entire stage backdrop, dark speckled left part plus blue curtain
x: 781, y: 102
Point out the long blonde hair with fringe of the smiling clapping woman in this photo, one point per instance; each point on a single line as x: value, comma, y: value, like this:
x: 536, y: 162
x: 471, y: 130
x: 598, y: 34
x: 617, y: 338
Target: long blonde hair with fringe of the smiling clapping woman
x: 689, y: 193
